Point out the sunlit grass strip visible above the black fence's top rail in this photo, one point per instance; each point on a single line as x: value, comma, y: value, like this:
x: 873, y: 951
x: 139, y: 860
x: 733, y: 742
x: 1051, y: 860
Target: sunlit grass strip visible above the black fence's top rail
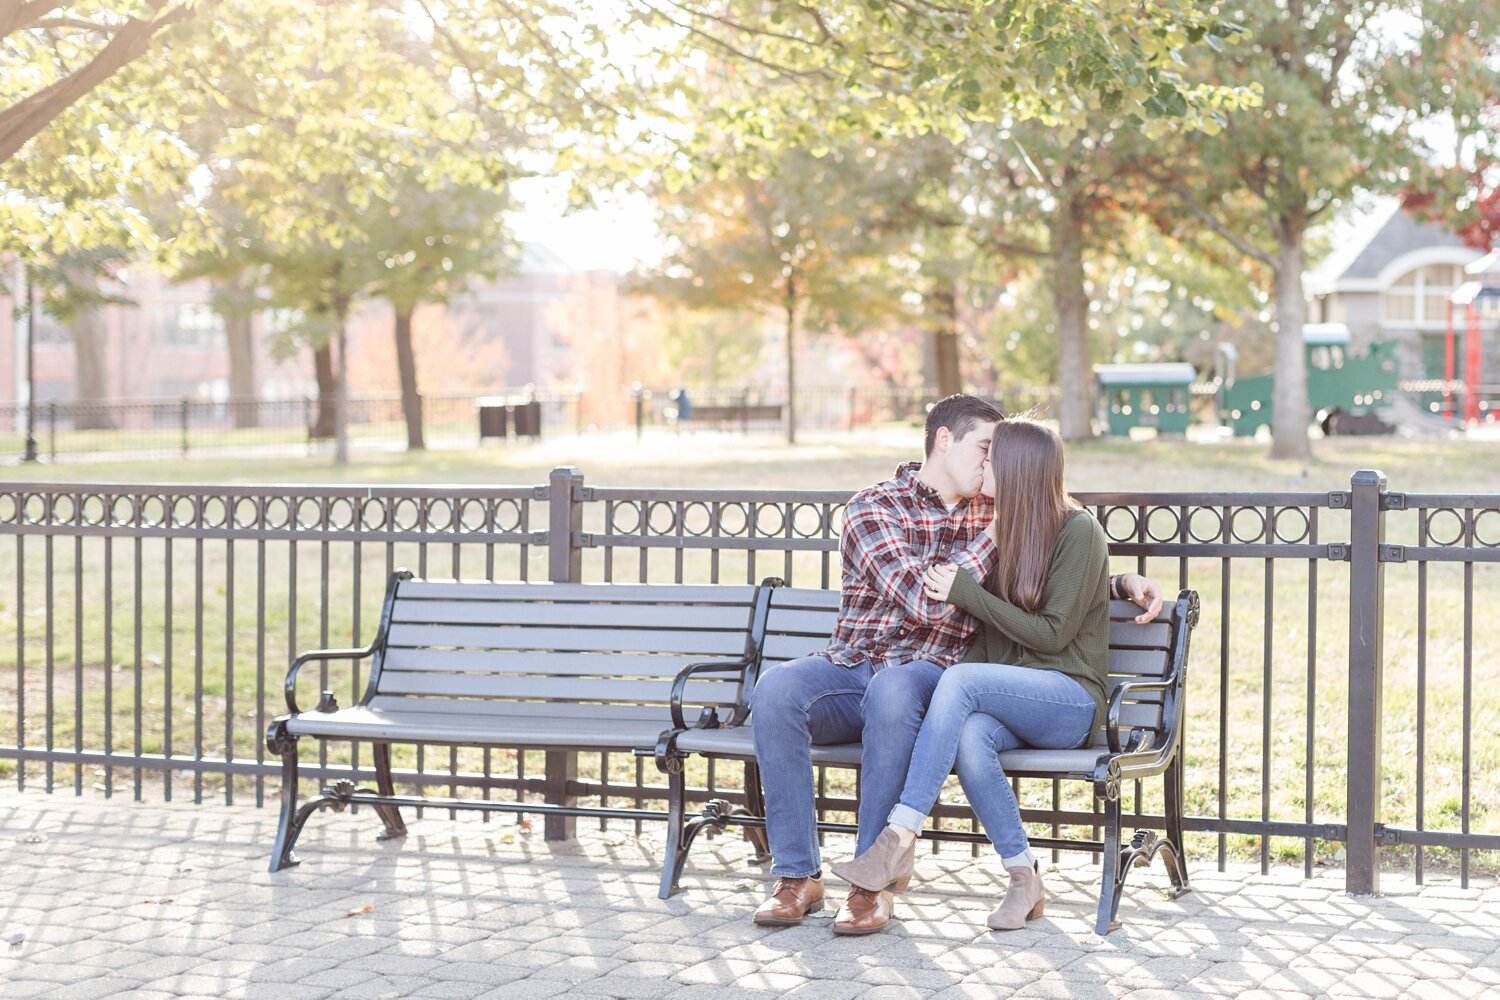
x: 827, y: 461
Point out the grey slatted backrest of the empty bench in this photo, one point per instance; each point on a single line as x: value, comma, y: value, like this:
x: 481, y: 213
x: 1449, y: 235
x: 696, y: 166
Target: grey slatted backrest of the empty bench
x: 584, y: 650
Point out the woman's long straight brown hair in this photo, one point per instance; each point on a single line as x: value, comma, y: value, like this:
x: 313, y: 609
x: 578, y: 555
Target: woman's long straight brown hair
x: 1030, y: 509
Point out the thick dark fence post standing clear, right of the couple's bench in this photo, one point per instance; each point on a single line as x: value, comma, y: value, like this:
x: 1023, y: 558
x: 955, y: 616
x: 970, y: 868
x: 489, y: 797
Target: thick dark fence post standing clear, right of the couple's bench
x: 1367, y: 579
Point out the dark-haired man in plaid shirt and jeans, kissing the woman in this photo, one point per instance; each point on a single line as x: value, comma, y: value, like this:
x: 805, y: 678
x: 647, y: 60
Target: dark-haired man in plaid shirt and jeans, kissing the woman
x: 889, y: 650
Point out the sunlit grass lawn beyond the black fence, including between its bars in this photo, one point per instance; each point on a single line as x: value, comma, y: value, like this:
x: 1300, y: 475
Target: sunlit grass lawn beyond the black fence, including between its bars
x: 1256, y: 663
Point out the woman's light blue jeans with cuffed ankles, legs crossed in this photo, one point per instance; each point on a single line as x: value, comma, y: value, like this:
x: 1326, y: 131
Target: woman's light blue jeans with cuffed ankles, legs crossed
x: 977, y: 711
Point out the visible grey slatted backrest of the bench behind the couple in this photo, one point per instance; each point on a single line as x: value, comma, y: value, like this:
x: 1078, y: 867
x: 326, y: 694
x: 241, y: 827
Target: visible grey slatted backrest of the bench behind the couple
x: 800, y: 621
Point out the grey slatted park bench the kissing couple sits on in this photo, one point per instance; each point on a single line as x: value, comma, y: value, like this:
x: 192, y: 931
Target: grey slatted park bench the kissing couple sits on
x: 1142, y: 738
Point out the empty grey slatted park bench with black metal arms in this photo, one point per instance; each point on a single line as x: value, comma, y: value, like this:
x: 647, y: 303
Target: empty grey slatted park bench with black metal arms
x: 559, y: 668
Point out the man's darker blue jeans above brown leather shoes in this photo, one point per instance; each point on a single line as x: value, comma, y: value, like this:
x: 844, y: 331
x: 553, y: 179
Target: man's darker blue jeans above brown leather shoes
x: 814, y: 701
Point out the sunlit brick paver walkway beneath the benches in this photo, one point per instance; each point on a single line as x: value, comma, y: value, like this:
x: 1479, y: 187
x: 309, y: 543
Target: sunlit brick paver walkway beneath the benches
x: 151, y: 900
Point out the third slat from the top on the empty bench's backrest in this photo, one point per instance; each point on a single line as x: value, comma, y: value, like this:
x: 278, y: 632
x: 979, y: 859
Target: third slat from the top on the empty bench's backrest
x: 689, y: 644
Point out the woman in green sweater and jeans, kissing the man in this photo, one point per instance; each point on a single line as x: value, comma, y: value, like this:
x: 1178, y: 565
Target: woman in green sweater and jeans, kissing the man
x: 1034, y: 678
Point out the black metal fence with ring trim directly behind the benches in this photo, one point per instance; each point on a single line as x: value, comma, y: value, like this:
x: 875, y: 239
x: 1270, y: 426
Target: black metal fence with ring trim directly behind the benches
x: 1340, y: 704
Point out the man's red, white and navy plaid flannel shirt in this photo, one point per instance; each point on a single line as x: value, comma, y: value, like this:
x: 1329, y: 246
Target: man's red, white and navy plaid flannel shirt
x: 892, y: 533
